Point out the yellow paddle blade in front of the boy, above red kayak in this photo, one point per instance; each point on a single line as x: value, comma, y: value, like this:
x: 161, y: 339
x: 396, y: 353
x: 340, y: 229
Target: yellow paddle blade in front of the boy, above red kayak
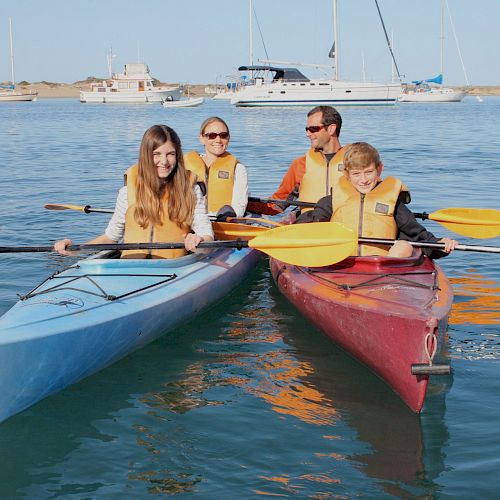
x: 310, y: 245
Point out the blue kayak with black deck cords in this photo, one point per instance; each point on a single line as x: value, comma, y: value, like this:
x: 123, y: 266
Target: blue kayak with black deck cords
x: 96, y: 312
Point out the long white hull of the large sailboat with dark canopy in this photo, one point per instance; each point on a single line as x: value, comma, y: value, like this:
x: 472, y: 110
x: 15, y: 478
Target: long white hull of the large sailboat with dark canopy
x: 317, y: 92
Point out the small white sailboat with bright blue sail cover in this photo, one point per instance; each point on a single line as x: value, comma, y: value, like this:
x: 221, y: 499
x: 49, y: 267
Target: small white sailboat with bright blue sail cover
x: 432, y: 90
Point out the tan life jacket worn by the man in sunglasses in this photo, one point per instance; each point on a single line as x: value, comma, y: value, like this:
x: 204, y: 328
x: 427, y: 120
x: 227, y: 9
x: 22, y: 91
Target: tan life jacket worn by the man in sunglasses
x: 320, y: 179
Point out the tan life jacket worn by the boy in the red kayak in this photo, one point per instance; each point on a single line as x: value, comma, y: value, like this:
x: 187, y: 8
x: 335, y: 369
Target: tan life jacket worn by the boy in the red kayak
x: 370, y: 215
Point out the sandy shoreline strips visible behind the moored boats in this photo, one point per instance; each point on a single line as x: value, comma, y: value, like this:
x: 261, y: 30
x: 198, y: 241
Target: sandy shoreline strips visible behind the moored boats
x: 72, y: 91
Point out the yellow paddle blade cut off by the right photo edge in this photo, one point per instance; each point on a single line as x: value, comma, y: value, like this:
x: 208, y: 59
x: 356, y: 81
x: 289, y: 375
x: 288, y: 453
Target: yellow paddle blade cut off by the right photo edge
x: 472, y: 222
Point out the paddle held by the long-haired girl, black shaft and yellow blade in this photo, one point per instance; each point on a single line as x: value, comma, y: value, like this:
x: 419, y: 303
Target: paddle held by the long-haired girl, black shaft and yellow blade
x: 315, y: 244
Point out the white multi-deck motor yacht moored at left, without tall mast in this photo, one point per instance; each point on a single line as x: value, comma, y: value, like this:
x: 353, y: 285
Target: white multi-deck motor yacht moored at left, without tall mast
x: 134, y: 85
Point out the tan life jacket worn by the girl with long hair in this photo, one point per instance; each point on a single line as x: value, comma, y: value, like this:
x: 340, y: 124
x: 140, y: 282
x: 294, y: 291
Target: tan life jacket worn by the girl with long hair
x: 167, y: 232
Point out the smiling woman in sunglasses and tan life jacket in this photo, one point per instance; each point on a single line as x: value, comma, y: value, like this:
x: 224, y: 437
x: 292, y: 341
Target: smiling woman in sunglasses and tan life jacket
x: 225, y: 177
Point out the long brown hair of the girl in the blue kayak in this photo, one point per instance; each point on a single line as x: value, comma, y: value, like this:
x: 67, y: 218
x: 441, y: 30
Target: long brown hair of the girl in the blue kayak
x: 150, y: 189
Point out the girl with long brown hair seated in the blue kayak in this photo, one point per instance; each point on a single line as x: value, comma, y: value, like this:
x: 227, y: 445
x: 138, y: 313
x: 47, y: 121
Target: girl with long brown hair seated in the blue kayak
x: 160, y: 202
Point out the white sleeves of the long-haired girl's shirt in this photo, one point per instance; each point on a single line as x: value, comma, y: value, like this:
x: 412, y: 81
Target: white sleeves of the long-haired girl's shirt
x: 116, y: 227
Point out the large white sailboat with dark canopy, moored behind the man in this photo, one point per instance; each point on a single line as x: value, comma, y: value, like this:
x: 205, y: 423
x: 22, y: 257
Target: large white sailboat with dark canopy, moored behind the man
x: 287, y: 86
